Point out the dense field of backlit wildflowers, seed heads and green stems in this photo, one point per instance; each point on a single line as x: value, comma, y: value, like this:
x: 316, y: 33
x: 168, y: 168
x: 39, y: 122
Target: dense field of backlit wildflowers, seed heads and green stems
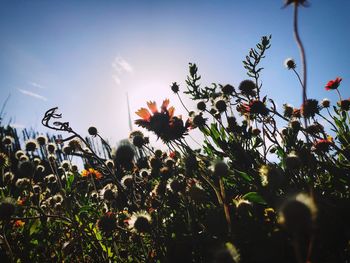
x: 264, y: 186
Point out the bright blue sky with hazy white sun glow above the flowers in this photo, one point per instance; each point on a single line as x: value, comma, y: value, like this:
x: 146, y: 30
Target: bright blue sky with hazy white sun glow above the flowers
x: 85, y: 56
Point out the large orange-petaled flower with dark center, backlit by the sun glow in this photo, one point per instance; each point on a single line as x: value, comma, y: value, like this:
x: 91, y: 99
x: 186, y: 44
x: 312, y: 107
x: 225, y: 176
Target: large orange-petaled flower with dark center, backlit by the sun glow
x: 163, y: 123
